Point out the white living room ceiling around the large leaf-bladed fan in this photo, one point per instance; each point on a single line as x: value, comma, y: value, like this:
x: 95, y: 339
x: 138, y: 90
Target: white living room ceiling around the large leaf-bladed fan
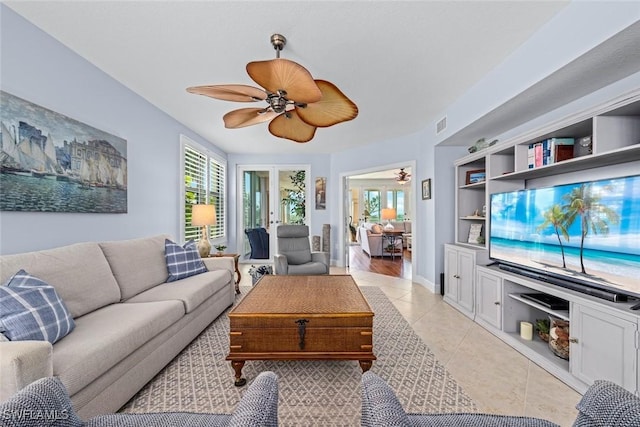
x: 402, y: 63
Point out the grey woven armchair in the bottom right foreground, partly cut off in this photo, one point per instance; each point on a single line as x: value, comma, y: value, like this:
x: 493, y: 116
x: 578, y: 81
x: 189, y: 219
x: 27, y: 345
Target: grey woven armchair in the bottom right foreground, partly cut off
x: 604, y: 404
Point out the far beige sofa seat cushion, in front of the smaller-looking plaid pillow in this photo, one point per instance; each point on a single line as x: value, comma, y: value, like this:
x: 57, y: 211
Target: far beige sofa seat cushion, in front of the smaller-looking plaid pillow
x: 192, y: 291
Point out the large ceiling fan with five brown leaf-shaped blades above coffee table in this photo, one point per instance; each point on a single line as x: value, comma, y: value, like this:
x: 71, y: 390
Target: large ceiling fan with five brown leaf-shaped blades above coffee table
x: 296, y: 103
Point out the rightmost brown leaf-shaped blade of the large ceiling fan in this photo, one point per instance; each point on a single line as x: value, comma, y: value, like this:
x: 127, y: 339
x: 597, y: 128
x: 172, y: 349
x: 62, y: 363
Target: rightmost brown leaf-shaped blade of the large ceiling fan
x: 333, y: 108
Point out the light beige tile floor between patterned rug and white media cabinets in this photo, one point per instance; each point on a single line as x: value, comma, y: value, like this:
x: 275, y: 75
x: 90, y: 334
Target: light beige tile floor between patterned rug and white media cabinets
x: 498, y: 378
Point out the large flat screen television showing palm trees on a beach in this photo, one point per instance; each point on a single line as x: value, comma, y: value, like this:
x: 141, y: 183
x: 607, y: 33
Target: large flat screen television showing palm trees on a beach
x: 584, y: 236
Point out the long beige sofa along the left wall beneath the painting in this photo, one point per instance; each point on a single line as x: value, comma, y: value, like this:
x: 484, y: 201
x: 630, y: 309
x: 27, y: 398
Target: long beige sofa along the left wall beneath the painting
x: 129, y: 322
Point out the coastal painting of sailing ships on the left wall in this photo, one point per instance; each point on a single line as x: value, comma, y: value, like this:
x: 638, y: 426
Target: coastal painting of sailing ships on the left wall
x: 52, y: 163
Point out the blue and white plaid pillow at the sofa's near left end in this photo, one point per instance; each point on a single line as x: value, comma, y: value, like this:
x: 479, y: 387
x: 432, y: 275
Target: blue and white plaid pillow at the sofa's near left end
x: 30, y: 309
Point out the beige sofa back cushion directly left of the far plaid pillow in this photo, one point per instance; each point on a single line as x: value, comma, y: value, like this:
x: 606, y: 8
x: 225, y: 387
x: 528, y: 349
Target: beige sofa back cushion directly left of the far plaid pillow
x: 137, y: 264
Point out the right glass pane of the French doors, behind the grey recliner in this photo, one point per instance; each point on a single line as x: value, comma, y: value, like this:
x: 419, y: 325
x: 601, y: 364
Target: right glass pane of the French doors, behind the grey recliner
x: 292, y: 188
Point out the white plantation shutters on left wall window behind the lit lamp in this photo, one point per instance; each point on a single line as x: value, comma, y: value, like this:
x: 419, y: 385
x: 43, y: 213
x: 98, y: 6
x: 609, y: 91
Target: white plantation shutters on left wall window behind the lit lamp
x: 204, y: 183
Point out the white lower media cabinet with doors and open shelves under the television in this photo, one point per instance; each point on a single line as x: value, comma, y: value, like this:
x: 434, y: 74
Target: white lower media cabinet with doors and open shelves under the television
x: 603, y: 335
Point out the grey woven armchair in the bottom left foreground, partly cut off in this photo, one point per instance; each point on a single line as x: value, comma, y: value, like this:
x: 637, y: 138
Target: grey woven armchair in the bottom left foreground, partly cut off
x: 46, y: 402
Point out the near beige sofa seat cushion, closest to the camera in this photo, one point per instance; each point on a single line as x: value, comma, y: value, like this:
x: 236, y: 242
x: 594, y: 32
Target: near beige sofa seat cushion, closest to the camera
x: 106, y: 336
